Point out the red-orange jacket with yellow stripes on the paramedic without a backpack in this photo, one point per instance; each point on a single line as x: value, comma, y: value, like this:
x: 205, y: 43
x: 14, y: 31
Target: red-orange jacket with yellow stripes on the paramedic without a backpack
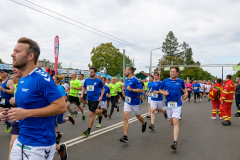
x: 227, y: 94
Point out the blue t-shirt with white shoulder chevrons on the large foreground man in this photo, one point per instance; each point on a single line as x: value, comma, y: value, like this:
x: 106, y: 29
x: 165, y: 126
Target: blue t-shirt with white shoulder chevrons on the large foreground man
x: 37, y: 90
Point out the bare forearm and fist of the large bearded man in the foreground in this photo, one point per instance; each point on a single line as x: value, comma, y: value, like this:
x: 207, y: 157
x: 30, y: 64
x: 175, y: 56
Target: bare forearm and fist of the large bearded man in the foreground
x: 57, y: 107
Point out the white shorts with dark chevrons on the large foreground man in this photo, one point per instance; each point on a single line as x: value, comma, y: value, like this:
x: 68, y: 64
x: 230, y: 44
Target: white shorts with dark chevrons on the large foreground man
x: 31, y: 153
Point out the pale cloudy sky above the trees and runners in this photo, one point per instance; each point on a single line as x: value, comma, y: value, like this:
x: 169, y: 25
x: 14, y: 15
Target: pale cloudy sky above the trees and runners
x: 211, y: 28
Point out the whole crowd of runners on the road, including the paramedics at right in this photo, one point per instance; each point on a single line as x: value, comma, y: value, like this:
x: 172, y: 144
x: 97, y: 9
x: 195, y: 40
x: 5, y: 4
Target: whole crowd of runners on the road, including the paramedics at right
x: 33, y: 103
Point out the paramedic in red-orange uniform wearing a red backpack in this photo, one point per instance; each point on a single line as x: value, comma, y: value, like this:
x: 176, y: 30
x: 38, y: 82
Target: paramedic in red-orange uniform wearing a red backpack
x: 216, y: 103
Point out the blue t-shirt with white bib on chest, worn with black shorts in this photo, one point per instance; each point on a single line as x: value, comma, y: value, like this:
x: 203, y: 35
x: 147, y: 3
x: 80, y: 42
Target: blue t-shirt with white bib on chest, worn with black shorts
x: 93, y: 87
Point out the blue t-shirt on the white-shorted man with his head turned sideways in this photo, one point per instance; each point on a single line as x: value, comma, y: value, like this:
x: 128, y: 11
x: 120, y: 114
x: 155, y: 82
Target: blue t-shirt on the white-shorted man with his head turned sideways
x: 134, y: 83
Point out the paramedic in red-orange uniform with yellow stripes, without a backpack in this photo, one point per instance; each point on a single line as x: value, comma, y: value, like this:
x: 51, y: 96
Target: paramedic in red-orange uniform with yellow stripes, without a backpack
x: 226, y: 99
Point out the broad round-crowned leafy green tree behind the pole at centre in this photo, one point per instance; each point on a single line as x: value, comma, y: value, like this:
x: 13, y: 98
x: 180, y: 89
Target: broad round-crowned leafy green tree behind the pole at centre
x: 106, y: 56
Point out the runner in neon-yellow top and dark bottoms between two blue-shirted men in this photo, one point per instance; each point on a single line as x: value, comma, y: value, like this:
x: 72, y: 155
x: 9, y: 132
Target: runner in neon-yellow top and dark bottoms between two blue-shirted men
x: 114, y: 89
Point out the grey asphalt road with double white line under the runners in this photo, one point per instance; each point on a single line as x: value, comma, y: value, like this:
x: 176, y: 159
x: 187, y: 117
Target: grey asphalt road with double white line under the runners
x: 199, y: 138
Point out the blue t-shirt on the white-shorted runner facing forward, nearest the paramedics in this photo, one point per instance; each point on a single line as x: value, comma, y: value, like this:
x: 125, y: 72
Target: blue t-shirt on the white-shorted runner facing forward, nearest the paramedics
x: 174, y: 88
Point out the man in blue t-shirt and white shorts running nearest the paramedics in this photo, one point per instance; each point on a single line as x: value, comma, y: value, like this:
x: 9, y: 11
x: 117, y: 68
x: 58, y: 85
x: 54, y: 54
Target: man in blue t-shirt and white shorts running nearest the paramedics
x: 172, y: 88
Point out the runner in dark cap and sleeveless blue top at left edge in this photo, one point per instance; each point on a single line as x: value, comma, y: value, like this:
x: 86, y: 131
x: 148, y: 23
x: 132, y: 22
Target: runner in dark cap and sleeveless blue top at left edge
x: 7, y: 92
